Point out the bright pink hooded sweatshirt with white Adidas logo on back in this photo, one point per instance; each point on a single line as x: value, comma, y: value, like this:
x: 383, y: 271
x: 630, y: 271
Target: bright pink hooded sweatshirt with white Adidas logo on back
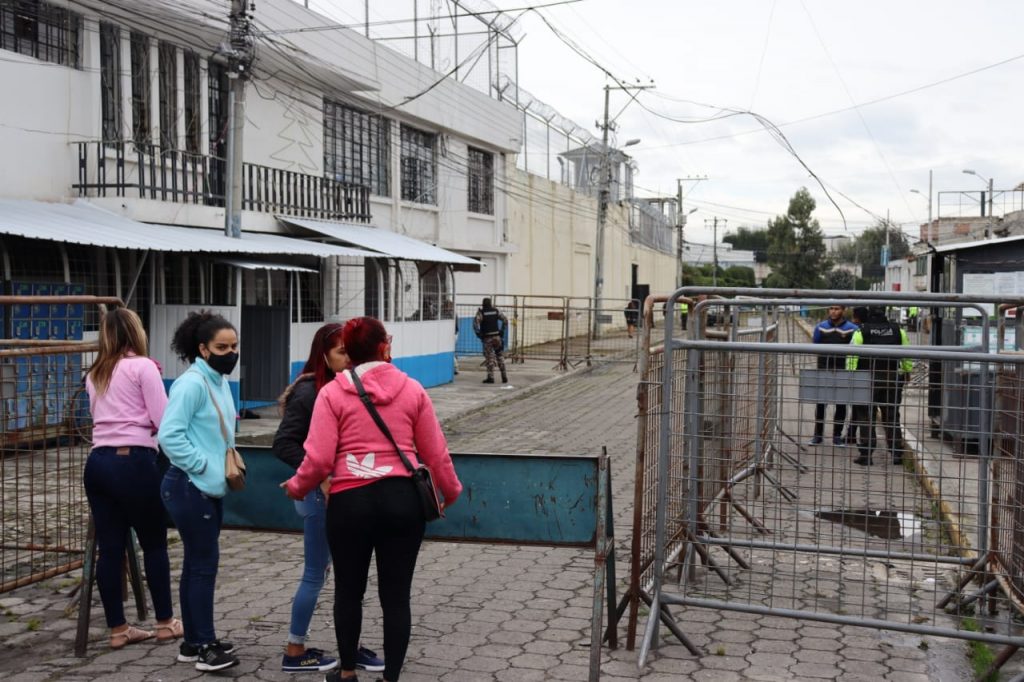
x: 345, y: 441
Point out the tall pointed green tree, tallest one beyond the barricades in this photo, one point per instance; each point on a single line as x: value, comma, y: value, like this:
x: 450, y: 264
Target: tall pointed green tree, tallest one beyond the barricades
x: 796, y: 246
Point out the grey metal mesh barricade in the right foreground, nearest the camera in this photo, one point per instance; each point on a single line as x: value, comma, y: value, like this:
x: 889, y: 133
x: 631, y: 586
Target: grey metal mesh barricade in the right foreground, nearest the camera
x: 805, y: 531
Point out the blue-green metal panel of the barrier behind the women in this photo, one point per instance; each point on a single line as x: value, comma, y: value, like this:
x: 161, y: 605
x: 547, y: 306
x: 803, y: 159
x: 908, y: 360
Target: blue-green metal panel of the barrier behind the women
x: 522, y: 499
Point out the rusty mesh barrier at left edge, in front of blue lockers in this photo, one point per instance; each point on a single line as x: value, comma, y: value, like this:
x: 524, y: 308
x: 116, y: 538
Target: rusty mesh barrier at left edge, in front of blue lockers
x: 45, y: 437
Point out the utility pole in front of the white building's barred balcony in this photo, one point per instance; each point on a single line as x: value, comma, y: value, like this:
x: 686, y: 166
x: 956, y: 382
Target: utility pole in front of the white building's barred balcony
x: 239, y: 51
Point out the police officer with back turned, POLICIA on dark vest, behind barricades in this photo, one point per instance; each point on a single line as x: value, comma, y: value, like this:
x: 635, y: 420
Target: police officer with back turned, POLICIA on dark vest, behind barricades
x: 888, y: 377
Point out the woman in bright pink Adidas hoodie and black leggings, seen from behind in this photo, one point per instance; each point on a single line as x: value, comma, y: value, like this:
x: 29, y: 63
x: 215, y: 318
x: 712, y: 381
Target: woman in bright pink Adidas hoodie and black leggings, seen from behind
x: 374, y: 509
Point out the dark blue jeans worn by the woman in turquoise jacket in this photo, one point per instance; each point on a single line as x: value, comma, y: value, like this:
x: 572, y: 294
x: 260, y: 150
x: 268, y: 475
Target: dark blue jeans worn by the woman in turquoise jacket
x: 198, y: 519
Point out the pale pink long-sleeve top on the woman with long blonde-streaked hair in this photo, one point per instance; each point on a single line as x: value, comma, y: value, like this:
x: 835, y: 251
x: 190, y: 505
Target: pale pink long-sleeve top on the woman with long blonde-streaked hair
x: 129, y: 413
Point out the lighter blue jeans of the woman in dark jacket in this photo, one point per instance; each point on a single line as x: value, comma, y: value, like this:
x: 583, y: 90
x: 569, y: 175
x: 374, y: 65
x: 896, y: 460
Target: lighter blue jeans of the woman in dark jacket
x: 314, y: 513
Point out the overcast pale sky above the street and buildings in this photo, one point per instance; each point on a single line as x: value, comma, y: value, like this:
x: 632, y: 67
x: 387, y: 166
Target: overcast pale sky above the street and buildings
x: 793, y: 62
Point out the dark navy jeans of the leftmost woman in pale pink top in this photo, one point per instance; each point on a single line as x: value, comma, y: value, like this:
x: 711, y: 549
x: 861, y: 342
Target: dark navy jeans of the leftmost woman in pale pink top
x: 124, y: 493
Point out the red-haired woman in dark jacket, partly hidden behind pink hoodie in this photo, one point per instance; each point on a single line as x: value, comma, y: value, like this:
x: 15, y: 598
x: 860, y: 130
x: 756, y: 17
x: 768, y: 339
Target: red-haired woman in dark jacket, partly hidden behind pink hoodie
x: 327, y: 357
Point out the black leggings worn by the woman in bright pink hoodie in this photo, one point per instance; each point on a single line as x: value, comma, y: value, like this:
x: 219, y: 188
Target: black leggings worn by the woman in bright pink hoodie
x: 382, y: 519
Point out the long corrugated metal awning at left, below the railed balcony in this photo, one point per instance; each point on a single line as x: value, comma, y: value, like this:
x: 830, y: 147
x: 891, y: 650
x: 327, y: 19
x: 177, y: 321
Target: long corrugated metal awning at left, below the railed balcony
x: 82, y: 224
